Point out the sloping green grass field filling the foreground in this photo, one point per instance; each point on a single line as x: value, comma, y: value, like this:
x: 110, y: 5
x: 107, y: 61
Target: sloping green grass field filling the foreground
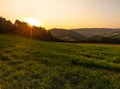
x: 32, y: 64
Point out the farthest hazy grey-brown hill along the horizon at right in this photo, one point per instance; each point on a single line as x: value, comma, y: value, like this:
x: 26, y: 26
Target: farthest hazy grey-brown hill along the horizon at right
x: 89, y: 32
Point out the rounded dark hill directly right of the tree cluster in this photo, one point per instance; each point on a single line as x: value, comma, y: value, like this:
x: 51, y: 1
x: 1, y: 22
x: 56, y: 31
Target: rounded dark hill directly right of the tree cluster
x: 66, y: 35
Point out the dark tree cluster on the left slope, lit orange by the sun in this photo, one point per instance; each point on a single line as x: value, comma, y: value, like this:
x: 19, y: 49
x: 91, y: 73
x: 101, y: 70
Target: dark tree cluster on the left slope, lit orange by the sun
x: 24, y: 29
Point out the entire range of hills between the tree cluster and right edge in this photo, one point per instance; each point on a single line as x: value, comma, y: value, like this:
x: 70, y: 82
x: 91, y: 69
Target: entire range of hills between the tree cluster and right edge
x: 94, y: 35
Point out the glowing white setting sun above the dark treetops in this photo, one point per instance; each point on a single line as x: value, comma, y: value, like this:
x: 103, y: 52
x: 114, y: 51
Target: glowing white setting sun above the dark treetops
x: 32, y: 21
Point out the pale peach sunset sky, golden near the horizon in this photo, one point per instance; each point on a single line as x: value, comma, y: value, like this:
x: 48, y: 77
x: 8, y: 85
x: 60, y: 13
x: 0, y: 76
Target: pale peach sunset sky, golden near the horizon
x: 64, y: 13
